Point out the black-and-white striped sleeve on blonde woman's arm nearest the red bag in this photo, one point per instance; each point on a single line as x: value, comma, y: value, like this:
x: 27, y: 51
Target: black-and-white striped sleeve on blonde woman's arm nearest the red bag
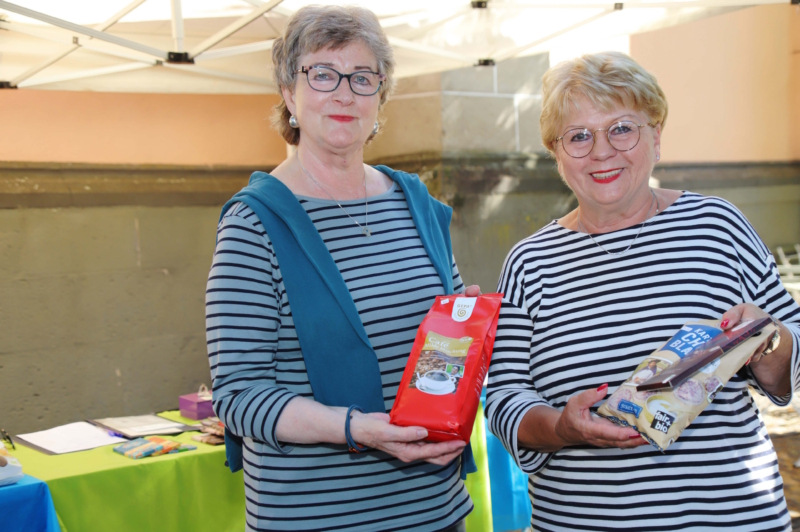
x: 511, y: 391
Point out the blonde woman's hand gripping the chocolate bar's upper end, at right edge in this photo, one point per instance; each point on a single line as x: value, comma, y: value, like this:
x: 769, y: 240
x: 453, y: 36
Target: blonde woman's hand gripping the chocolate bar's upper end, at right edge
x: 772, y: 371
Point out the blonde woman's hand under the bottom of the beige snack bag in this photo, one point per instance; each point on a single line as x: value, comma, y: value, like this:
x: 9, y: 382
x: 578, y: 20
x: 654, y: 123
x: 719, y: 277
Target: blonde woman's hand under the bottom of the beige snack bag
x: 577, y: 425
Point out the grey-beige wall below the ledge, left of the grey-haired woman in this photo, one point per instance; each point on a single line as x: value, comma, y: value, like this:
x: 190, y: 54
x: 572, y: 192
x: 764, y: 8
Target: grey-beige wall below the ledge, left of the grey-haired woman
x: 103, y: 311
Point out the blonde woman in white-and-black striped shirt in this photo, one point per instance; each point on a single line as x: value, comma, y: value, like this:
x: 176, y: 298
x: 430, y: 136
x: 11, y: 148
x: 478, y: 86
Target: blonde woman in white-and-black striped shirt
x: 592, y: 294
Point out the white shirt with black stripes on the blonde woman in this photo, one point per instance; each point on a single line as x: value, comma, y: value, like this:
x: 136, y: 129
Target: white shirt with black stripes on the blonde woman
x: 575, y: 318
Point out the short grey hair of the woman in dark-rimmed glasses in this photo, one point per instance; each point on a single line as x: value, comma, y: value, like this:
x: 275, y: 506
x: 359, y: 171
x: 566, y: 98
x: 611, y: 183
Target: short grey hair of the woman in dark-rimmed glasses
x: 313, y: 28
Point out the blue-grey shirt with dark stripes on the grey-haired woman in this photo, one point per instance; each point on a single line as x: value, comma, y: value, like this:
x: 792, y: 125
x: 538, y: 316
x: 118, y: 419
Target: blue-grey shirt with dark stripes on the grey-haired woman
x: 257, y: 368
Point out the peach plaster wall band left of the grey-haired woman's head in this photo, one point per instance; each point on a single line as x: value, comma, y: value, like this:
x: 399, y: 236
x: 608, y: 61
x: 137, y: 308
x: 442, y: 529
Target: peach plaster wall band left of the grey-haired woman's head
x: 128, y: 128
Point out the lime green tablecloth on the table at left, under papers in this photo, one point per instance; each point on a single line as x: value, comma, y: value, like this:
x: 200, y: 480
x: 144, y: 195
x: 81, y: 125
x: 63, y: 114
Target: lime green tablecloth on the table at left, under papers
x: 102, y: 490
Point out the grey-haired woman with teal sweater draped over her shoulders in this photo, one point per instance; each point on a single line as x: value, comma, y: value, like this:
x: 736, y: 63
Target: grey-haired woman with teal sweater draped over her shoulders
x: 323, y: 271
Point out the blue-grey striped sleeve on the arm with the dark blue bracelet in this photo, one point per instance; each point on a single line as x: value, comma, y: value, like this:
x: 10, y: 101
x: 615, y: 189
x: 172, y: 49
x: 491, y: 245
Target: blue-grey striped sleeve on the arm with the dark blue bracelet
x: 243, y: 304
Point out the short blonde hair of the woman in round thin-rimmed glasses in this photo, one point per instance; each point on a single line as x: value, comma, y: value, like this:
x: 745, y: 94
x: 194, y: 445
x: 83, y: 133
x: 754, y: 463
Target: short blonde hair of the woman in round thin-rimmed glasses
x: 606, y: 79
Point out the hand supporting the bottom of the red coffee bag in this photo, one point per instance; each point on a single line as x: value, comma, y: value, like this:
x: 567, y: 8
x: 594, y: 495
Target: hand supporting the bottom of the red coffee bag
x: 404, y: 443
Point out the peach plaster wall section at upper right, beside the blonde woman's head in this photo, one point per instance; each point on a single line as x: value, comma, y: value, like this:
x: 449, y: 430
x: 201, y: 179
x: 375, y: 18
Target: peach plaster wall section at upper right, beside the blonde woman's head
x: 729, y: 77
